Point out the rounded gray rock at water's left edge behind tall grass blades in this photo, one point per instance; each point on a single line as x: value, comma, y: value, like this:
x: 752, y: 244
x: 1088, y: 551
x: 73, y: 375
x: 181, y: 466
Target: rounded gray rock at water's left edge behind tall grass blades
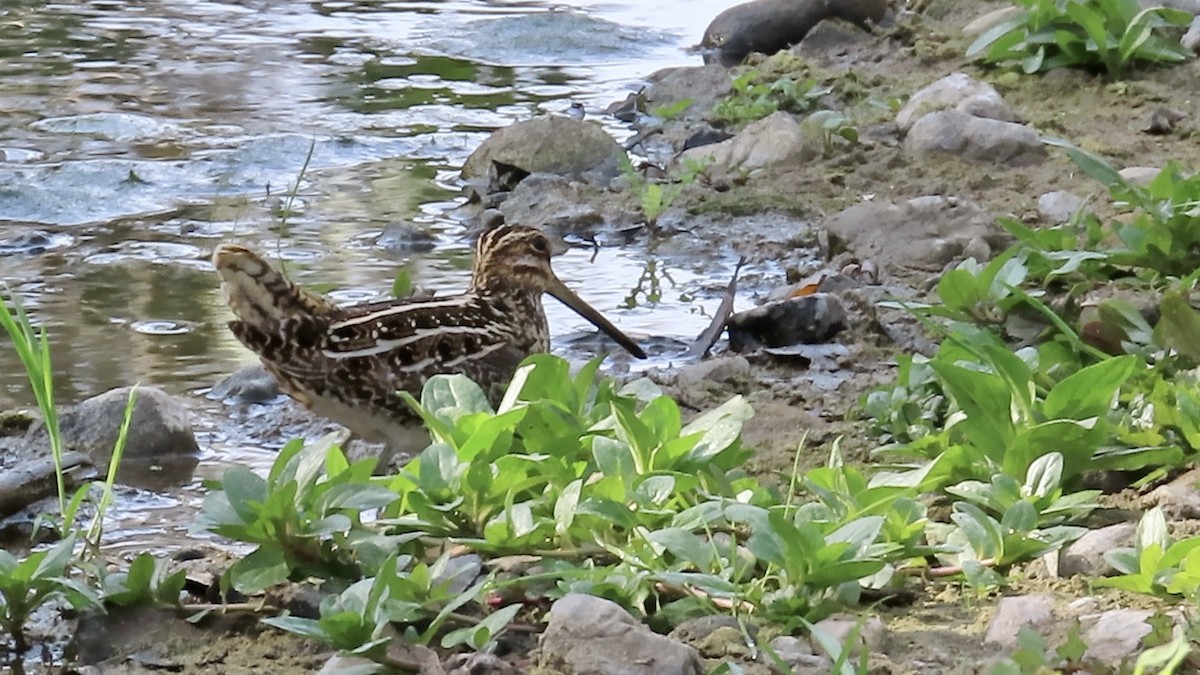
x: 161, y: 427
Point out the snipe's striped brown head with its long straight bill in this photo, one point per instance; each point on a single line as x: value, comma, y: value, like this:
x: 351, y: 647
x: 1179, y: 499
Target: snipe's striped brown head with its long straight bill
x: 517, y: 259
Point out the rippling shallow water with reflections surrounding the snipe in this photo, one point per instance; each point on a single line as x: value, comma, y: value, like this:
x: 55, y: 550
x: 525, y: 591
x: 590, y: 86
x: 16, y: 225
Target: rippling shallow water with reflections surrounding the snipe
x: 136, y: 136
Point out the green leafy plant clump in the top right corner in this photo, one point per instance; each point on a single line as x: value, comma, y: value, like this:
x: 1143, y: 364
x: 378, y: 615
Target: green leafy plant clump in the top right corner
x: 1105, y: 35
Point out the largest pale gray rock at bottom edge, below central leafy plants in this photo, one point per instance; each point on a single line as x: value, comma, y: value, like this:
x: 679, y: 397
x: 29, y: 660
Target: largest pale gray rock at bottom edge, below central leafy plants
x: 597, y: 637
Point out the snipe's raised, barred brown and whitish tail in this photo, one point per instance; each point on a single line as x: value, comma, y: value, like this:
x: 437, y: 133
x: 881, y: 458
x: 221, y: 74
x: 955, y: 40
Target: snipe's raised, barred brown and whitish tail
x: 259, y: 295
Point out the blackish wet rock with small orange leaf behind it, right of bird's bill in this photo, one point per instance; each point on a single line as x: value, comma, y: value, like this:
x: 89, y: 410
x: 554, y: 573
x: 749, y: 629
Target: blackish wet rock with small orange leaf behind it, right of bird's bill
x: 808, y: 320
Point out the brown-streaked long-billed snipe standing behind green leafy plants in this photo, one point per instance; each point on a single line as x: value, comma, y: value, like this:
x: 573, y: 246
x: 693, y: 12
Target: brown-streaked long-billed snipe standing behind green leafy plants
x: 347, y: 363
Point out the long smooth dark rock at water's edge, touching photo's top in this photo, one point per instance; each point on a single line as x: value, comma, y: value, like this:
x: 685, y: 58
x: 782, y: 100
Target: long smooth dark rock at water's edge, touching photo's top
x: 771, y: 26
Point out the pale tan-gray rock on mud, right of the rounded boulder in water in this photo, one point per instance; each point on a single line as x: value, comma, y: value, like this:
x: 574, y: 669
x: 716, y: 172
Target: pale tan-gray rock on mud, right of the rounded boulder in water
x: 771, y: 142
